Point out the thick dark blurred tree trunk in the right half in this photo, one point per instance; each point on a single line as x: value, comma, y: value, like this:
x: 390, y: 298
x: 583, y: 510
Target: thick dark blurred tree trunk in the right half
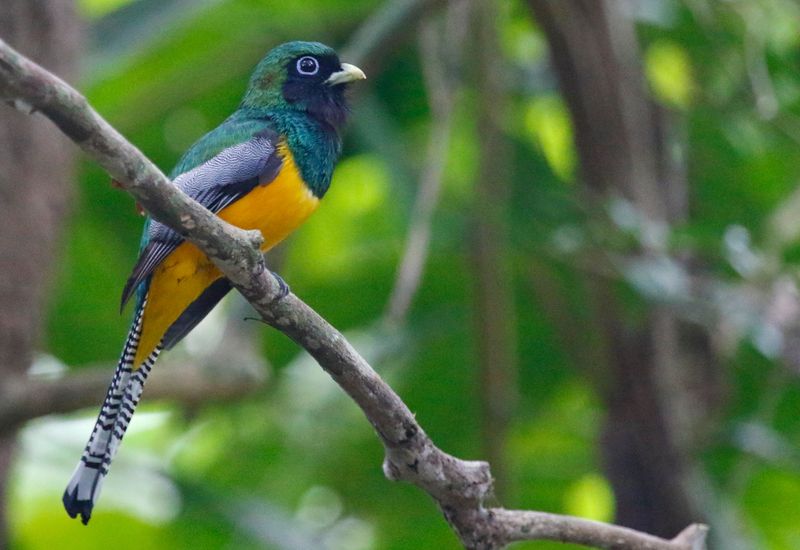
x: 660, y: 378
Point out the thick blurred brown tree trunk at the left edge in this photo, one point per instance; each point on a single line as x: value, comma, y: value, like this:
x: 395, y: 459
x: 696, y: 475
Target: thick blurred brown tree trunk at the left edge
x: 36, y: 172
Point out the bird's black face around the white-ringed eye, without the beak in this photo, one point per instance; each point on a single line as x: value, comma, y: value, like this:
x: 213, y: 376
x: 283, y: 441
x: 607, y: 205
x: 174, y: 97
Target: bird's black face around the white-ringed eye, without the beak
x: 305, y: 88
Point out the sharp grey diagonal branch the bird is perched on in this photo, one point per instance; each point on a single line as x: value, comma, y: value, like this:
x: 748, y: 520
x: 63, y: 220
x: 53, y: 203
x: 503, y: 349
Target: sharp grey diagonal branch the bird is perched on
x: 459, y: 487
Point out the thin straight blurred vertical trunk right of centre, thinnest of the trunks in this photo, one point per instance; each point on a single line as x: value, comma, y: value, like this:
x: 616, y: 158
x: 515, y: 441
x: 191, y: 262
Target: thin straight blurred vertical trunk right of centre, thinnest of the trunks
x: 495, y: 318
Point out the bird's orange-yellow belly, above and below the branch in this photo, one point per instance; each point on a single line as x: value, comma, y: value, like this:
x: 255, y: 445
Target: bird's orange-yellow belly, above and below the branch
x: 275, y: 209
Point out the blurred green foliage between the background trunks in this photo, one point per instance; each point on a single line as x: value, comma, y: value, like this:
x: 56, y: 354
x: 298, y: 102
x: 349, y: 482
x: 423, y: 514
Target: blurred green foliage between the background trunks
x: 298, y: 457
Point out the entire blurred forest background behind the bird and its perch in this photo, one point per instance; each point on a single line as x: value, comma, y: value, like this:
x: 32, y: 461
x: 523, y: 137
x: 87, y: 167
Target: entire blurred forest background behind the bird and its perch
x: 564, y: 231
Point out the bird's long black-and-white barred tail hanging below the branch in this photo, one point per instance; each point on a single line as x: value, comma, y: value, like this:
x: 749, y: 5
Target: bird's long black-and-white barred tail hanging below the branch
x: 119, y: 404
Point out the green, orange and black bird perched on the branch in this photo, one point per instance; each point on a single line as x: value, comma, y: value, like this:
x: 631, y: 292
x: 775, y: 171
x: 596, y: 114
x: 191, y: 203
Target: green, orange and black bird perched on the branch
x: 266, y: 167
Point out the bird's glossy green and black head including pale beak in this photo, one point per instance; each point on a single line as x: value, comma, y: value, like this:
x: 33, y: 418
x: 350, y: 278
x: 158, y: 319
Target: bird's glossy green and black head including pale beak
x: 306, y: 76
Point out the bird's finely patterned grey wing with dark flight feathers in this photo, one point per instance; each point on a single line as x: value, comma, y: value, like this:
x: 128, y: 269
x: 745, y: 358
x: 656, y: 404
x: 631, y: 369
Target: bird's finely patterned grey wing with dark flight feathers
x: 217, y: 183
